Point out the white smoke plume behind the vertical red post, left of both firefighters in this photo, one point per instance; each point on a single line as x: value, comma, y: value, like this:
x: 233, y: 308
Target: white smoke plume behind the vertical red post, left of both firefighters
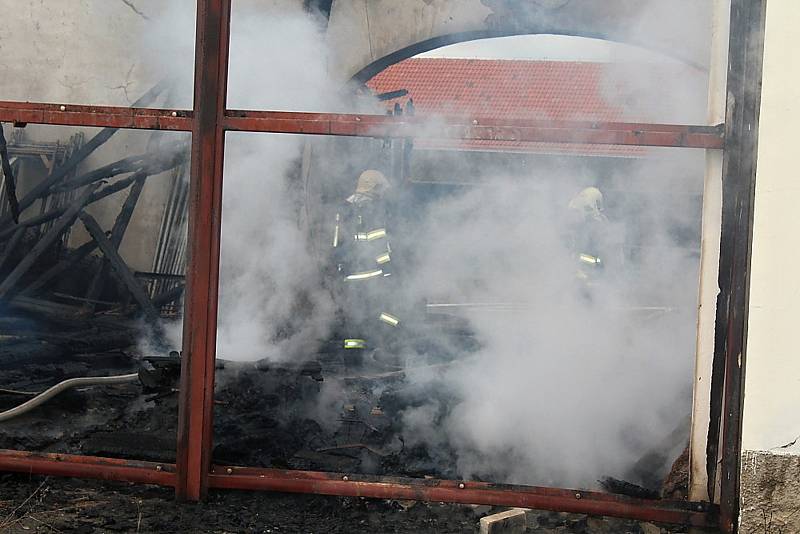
x: 268, y: 276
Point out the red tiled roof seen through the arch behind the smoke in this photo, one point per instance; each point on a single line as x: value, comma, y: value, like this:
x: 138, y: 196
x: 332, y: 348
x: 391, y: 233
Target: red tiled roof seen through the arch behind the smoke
x: 511, y: 89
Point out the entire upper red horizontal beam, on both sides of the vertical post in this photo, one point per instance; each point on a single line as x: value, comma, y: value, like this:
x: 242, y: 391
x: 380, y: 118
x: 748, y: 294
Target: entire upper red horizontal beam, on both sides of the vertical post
x: 578, y: 132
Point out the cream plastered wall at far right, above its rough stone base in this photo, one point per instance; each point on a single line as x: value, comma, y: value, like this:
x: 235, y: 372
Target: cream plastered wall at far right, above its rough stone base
x: 772, y: 391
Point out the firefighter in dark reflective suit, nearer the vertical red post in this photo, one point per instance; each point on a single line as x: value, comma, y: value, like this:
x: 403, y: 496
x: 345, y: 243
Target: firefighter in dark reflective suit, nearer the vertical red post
x: 364, y: 268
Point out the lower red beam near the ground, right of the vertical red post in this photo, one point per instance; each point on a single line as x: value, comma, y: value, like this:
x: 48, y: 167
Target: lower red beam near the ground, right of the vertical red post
x: 563, y: 500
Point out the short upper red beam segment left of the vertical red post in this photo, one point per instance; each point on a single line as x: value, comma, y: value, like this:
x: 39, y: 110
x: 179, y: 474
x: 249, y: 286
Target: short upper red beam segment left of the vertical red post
x: 97, y: 116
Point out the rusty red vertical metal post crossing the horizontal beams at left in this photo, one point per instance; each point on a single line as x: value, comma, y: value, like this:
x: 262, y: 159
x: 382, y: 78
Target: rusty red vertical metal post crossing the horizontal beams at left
x: 196, y: 400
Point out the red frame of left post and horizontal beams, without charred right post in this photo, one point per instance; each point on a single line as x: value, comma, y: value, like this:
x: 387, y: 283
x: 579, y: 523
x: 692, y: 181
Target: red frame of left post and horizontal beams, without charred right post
x: 193, y: 474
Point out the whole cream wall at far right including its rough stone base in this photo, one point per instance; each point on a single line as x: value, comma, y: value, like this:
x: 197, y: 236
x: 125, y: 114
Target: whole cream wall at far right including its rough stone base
x: 770, y: 467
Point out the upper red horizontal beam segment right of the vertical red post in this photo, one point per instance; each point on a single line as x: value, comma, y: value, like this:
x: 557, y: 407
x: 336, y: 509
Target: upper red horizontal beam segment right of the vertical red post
x: 579, y: 132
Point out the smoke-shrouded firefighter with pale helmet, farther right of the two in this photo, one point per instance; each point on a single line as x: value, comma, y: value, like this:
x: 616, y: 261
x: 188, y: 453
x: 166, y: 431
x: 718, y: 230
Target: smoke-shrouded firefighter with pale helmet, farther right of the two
x: 588, y: 229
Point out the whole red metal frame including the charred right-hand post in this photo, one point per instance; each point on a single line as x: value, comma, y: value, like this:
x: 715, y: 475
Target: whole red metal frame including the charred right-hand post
x: 193, y: 474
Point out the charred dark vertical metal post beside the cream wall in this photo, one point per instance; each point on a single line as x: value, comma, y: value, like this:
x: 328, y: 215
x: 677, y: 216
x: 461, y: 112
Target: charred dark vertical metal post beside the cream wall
x: 745, y: 60
